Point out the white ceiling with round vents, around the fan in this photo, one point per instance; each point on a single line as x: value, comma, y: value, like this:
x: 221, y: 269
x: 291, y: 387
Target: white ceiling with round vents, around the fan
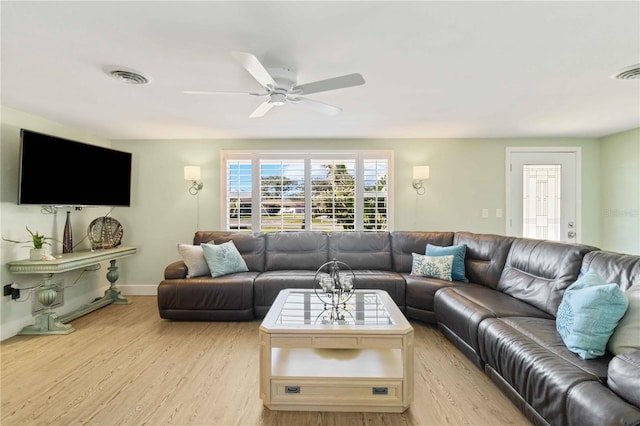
x: 432, y: 69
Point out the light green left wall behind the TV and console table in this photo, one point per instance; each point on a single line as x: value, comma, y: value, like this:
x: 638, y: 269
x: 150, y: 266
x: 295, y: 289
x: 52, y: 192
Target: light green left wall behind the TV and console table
x: 13, y: 219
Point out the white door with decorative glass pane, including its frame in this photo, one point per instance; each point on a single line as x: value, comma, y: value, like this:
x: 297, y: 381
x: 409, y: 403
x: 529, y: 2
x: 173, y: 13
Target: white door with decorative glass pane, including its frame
x: 543, y: 187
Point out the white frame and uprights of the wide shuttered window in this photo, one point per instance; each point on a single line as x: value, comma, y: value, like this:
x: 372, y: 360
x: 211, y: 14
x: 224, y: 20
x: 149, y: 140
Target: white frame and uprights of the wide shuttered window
x: 256, y: 156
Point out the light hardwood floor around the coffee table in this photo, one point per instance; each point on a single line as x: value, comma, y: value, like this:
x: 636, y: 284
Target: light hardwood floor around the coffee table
x: 125, y: 366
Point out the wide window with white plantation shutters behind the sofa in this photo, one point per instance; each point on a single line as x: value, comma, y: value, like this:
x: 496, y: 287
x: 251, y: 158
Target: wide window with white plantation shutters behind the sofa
x: 319, y: 191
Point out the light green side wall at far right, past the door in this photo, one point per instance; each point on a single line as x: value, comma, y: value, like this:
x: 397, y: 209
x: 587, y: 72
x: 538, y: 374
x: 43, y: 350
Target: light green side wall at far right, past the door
x: 620, y: 205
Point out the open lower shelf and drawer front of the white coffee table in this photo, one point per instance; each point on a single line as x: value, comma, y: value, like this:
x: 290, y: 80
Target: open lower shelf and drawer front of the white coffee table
x: 309, y: 379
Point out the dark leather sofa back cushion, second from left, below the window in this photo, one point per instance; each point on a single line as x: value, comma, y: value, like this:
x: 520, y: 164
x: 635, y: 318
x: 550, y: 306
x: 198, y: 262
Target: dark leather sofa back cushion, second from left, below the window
x: 296, y: 250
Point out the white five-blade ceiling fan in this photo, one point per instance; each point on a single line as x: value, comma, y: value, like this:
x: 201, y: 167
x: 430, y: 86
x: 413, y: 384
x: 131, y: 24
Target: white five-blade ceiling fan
x: 280, y: 87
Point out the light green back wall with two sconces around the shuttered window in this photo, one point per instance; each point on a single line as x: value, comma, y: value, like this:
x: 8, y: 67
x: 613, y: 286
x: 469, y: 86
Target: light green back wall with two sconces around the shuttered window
x: 467, y: 175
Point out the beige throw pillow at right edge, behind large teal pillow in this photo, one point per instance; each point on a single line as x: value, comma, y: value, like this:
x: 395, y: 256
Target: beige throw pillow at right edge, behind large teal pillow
x: 626, y: 336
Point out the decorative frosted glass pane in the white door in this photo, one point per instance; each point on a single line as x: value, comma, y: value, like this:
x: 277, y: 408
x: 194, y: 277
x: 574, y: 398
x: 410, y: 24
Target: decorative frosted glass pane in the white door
x: 541, y: 201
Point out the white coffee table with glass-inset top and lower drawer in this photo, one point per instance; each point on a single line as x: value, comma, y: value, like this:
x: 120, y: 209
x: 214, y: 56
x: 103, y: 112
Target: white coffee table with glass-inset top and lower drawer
x: 310, y: 362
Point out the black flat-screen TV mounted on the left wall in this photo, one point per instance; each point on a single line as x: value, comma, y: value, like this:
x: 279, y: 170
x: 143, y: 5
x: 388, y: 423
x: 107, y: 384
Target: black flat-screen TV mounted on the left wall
x: 60, y: 172
